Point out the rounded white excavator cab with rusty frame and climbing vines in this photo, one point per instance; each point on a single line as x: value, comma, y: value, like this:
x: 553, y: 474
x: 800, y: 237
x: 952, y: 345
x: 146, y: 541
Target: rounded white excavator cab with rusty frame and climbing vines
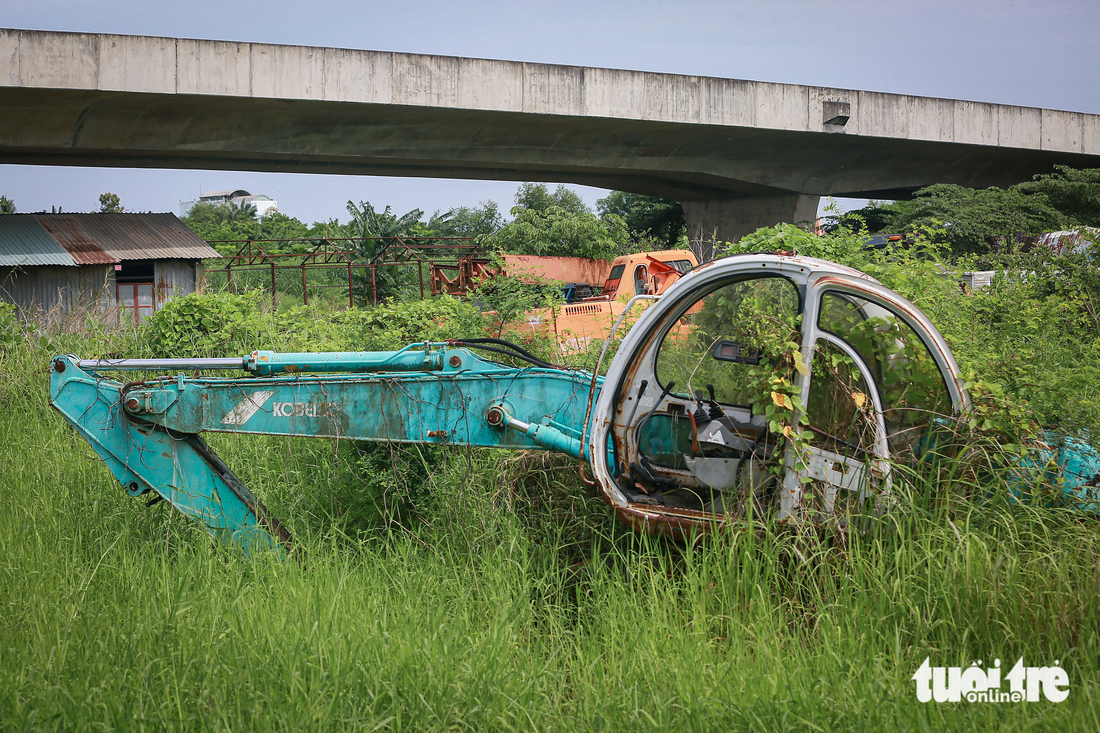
x: 707, y: 391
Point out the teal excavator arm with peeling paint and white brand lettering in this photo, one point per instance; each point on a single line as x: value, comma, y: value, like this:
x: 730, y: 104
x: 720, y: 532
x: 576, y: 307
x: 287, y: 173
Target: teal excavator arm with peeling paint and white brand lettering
x: 148, y: 433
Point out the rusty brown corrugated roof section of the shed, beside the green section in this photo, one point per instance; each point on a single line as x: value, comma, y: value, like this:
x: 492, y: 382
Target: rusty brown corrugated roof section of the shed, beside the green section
x: 137, y: 236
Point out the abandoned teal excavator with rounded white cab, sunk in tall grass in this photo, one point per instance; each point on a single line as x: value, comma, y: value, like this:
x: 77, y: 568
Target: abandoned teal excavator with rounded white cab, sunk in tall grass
x: 679, y: 440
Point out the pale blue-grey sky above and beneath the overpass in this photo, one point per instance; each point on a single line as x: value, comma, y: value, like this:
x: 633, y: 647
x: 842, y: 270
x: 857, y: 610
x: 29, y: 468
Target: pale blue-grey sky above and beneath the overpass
x: 1033, y: 53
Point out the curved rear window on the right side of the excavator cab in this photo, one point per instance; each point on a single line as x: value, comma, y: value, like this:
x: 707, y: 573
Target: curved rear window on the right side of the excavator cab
x: 909, y: 381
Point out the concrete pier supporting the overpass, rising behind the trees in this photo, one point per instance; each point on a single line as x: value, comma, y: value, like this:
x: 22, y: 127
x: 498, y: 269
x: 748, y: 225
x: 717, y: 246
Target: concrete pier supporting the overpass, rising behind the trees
x: 729, y: 220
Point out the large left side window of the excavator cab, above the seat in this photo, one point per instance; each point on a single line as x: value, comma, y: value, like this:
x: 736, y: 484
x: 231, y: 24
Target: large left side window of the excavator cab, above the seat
x: 723, y: 340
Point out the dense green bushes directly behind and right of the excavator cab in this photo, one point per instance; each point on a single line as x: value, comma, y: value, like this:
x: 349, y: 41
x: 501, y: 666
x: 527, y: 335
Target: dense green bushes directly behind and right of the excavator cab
x: 1030, y: 343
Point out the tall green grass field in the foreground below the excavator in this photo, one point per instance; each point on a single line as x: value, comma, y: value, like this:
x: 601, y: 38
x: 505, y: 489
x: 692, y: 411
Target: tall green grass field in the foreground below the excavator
x: 494, y: 594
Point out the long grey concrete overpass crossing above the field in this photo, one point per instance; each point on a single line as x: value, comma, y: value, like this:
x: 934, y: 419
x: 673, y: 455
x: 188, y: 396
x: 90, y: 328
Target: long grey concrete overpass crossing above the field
x: 740, y: 155
